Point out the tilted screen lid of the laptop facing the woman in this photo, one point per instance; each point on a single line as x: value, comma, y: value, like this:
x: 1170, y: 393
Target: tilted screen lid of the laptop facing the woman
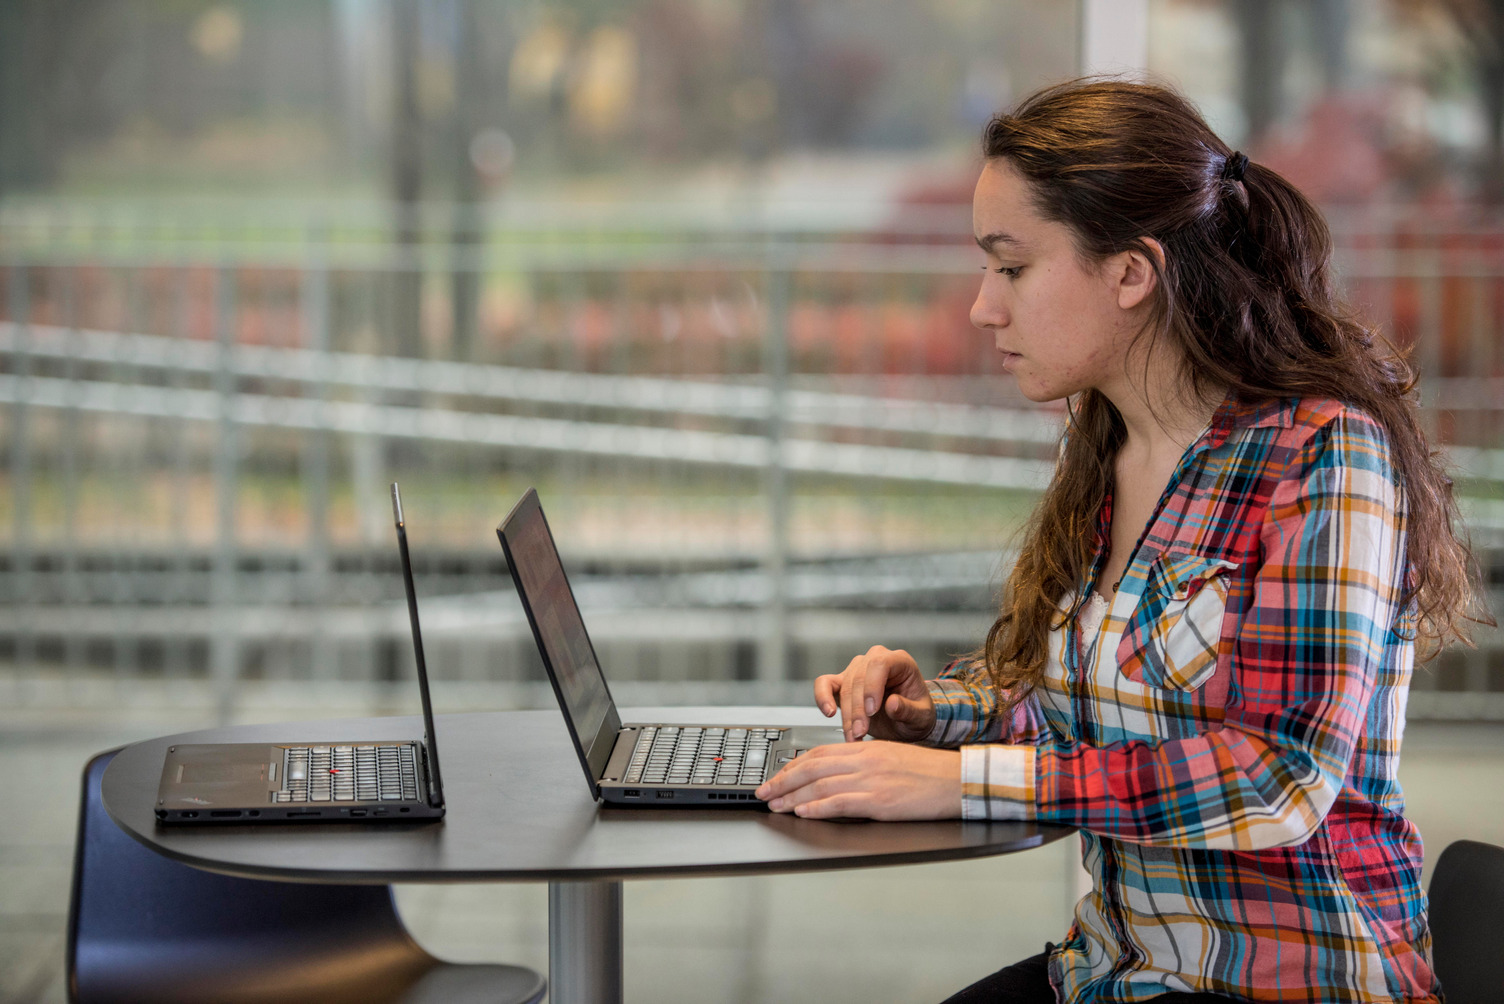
x: 560, y: 632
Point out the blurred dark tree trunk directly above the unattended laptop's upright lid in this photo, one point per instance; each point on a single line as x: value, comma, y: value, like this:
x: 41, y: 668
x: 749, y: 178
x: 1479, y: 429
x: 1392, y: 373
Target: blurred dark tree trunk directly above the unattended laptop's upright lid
x: 407, y: 181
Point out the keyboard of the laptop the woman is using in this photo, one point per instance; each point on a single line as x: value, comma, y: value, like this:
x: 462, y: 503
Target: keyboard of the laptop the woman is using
x: 694, y: 755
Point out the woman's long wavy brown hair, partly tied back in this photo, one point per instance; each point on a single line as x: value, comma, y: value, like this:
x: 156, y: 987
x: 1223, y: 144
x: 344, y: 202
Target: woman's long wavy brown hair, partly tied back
x: 1245, y: 295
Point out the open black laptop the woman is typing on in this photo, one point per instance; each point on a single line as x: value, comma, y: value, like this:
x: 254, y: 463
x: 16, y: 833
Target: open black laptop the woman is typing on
x: 635, y: 763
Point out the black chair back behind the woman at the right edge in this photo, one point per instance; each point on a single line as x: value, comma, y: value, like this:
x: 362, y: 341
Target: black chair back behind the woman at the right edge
x: 1467, y: 922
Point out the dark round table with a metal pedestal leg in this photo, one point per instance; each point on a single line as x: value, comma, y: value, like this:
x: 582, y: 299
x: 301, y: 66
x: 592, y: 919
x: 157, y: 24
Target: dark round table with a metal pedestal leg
x: 520, y: 809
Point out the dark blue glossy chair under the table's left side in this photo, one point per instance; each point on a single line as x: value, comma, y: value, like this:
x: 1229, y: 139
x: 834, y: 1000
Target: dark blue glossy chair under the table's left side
x: 145, y: 928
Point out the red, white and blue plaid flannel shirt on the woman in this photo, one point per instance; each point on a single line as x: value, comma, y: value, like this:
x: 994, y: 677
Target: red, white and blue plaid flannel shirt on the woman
x: 1228, y: 743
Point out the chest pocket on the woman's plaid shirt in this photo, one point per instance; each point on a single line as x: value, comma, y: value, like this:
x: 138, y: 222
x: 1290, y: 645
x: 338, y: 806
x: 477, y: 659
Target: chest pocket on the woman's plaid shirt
x: 1172, y: 638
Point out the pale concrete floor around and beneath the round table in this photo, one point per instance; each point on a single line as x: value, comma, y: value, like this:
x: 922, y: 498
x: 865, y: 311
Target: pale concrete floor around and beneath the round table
x: 905, y: 934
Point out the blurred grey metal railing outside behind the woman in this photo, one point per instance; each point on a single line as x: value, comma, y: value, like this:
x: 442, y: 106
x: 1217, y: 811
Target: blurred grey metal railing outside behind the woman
x: 760, y: 452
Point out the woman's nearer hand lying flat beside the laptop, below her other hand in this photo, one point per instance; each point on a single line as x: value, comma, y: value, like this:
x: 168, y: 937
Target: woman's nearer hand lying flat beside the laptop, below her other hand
x: 876, y: 779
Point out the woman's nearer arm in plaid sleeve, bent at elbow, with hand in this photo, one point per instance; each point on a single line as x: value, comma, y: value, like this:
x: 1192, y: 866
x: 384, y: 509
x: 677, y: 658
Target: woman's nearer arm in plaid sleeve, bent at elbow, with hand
x: 1303, y: 671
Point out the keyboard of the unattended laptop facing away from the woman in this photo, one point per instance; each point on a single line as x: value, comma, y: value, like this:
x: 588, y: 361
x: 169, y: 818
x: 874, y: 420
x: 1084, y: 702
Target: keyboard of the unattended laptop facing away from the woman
x: 350, y: 773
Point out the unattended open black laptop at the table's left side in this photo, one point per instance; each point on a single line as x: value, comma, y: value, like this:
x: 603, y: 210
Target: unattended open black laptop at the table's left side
x: 312, y: 781
